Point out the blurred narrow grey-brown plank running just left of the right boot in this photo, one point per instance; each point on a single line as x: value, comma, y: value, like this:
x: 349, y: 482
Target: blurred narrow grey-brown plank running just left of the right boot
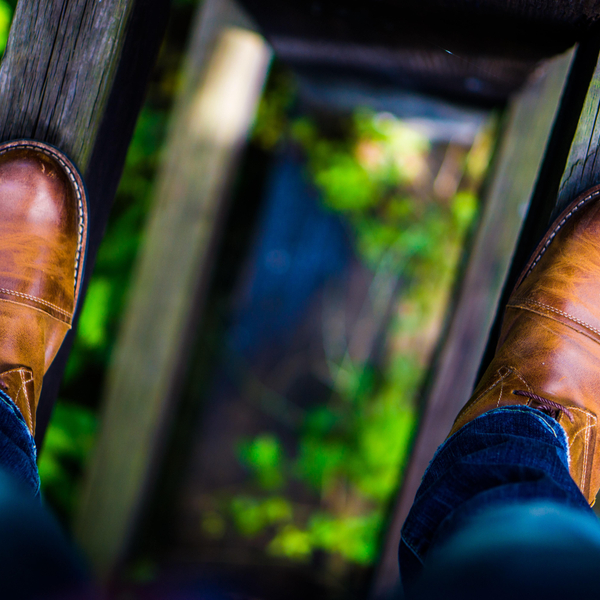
x: 530, y: 119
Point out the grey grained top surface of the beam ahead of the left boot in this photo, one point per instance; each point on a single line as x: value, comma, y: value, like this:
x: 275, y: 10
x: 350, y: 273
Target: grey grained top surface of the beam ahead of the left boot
x: 56, y: 77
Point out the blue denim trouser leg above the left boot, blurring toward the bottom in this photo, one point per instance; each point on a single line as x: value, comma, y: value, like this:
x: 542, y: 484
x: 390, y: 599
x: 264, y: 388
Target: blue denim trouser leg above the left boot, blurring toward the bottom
x: 36, y: 560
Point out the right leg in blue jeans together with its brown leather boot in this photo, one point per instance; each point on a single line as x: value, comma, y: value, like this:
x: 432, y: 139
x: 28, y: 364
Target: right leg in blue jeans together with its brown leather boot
x: 524, y: 449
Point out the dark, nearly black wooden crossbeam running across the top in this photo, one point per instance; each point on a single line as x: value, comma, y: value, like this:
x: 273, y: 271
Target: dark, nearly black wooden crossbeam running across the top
x: 473, y: 51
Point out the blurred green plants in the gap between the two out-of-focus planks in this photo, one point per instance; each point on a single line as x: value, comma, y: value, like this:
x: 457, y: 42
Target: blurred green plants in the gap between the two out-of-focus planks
x: 409, y: 227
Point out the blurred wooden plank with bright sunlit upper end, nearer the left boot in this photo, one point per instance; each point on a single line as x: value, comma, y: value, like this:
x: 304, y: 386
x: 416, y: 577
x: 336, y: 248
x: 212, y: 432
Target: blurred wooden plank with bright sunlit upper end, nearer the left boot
x: 226, y: 69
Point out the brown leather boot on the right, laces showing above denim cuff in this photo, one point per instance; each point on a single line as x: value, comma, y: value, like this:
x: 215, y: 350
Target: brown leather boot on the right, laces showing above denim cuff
x: 548, y: 355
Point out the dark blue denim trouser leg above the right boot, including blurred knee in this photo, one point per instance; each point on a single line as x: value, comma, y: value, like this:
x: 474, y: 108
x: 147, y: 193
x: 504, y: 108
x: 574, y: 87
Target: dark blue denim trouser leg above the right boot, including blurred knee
x: 498, y: 515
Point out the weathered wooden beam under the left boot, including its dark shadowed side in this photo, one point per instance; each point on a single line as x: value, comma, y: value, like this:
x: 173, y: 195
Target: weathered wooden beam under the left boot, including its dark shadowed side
x: 74, y: 75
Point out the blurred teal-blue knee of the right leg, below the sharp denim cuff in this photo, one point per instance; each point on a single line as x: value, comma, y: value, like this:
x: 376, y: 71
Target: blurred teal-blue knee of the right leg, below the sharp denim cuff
x: 533, y: 549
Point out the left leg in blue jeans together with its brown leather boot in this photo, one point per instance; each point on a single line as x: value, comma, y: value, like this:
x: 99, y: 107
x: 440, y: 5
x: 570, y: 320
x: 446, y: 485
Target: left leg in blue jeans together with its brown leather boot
x: 43, y: 229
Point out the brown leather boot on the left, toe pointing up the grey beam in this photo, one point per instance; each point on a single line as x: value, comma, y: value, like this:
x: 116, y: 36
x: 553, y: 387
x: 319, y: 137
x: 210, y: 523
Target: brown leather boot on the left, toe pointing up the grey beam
x: 43, y: 231
